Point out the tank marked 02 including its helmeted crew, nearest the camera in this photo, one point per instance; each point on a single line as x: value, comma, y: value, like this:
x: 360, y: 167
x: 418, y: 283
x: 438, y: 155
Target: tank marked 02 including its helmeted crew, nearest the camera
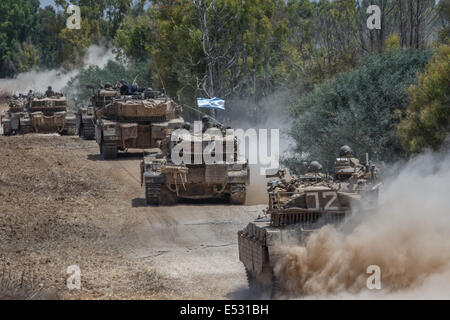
x: 298, y: 206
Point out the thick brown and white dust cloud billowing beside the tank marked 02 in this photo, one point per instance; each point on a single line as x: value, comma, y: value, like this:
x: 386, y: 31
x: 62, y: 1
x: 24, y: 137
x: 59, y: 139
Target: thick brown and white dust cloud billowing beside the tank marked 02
x: 407, y: 236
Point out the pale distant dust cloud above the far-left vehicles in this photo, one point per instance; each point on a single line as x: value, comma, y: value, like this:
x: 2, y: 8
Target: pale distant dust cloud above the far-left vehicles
x: 38, y: 81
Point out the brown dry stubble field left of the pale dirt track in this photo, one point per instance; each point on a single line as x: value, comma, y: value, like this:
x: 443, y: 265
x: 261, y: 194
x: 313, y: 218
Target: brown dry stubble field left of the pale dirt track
x: 56, y: 212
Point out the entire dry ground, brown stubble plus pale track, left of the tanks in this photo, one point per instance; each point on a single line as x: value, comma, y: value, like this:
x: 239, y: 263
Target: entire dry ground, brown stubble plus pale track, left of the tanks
x: 62, y: 205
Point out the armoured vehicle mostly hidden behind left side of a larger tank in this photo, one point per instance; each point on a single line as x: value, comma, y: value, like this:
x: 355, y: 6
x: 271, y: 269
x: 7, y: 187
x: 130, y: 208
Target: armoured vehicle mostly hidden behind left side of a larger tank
x: 86, y: 116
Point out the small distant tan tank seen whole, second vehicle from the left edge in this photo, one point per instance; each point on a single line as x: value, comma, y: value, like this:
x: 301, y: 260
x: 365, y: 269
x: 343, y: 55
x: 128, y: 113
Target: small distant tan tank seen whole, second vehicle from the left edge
x: 49, y: 114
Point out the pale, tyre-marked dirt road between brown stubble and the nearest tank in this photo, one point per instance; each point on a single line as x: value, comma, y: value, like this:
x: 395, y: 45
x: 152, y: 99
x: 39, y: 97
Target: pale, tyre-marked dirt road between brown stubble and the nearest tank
x: 192, y: 244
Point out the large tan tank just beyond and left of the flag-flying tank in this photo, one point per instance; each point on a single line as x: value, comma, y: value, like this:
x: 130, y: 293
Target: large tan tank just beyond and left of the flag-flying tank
x: 135, y: 121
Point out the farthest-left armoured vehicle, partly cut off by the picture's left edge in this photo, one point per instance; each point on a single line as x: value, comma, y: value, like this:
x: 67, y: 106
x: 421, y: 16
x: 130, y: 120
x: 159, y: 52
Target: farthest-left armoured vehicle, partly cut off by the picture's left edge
x: 15, y: 120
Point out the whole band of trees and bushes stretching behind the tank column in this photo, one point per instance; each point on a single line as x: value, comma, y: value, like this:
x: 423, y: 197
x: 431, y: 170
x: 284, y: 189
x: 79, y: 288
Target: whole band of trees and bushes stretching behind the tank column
x: 348, y: 83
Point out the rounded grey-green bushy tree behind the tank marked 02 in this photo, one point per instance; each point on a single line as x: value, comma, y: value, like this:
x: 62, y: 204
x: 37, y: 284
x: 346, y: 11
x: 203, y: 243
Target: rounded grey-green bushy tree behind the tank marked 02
x: 359, y: 108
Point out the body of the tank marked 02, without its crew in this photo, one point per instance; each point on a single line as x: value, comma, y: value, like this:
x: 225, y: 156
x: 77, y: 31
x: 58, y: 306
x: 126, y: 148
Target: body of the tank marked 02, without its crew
x: 292, y: 218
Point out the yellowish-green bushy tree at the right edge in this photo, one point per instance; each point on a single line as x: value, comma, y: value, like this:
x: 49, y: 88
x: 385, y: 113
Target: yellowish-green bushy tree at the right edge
x: 427, y: 121
